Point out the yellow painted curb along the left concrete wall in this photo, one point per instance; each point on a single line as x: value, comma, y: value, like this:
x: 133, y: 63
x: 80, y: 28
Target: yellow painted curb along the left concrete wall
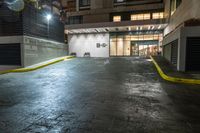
x: 37, y: 67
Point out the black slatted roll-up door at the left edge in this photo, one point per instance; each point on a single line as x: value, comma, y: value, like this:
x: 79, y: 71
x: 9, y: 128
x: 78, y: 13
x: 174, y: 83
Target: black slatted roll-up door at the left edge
x: 10, y: 54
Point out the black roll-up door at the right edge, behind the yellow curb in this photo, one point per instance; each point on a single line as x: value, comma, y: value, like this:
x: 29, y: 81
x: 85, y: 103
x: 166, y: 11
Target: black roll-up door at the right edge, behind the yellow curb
x: 193, y: 54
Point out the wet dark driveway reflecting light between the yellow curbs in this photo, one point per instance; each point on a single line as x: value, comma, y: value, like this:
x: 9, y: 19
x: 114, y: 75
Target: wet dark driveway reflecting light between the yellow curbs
x: 115, y: 95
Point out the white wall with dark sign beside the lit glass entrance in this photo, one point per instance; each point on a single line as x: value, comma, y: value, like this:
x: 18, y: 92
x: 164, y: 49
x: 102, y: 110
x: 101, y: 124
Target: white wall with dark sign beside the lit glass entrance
x: 82, y: 43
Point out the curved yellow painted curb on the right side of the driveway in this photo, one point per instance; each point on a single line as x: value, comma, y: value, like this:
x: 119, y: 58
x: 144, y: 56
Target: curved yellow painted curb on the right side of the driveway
x: 173, y: 79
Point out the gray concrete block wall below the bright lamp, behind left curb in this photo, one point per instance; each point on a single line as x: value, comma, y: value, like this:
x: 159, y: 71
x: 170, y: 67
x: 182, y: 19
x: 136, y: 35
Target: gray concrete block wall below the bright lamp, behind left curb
x: 37, y: 50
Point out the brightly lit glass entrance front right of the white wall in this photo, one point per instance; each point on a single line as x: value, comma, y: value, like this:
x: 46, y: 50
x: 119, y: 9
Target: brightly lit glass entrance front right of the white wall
x: 134, y: 45
